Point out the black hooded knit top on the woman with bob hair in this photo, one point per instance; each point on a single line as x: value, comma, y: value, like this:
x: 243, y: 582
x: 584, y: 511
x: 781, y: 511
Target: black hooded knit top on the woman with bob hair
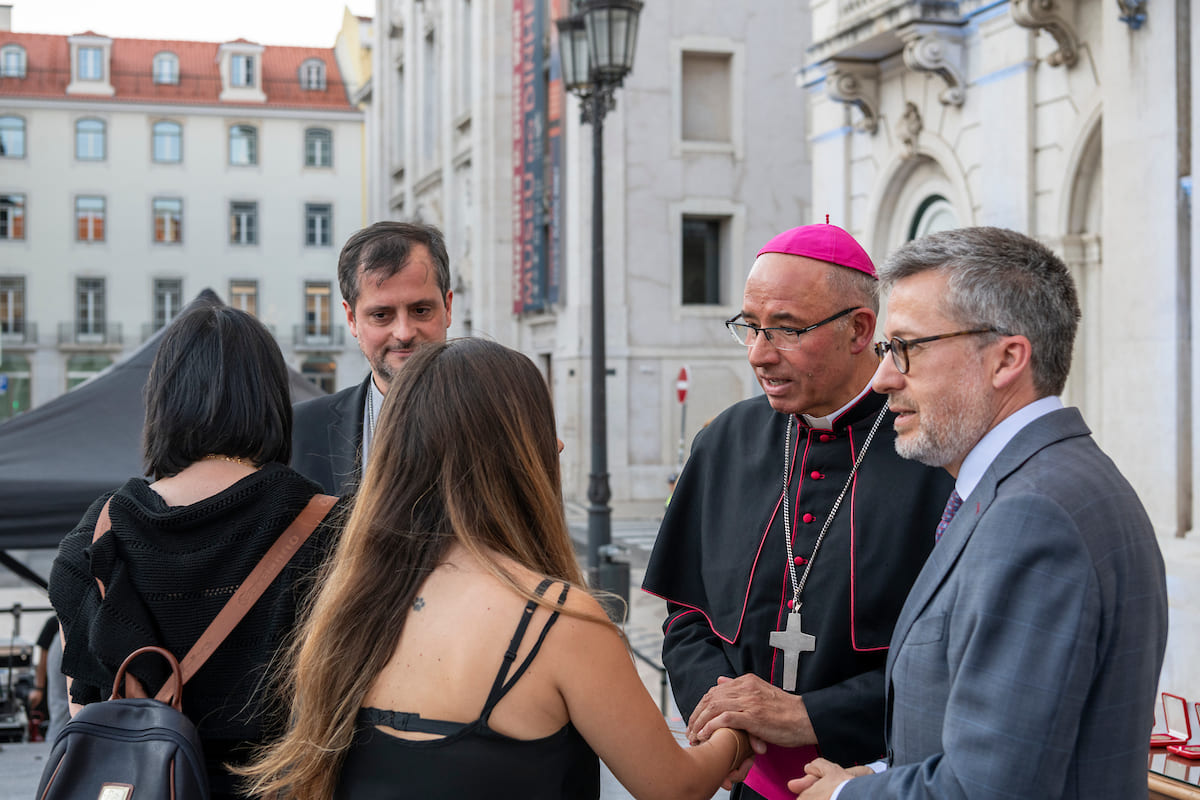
x: 167, y: 573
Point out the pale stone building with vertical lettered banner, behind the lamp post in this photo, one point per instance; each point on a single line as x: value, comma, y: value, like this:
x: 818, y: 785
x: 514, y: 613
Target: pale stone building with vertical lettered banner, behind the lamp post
x: 704, y: 161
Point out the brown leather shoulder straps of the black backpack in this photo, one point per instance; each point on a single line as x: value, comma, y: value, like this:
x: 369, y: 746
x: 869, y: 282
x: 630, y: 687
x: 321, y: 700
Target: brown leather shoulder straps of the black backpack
x: 242, y: 601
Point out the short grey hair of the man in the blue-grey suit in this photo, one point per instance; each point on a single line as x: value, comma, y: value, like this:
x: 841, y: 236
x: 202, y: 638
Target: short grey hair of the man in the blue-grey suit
x: 1005, y: 280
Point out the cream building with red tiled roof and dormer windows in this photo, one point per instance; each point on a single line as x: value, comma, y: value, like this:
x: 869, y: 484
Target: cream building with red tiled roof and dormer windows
x: 136, y: 173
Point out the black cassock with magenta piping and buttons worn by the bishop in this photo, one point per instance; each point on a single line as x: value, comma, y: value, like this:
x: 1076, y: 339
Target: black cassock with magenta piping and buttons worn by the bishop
x: 722, y: 564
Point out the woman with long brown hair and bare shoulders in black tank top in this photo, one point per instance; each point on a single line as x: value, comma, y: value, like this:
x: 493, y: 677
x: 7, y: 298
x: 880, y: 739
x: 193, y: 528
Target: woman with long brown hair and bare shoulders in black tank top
x: 453, y: 651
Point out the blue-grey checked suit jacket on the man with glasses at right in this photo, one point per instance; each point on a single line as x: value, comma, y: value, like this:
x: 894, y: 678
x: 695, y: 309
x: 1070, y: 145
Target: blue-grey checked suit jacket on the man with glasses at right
x: 1027, y: 658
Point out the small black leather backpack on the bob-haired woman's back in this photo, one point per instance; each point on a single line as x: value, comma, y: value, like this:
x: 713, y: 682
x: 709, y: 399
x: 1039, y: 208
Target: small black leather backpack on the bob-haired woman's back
x: 129, y: 749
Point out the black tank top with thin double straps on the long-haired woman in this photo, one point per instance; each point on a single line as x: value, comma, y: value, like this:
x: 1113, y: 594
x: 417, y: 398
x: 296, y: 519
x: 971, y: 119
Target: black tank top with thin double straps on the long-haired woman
x: 471, y: 760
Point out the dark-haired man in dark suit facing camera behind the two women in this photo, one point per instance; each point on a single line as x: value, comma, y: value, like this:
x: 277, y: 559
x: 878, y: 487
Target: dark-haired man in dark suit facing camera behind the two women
x: 395, y: 282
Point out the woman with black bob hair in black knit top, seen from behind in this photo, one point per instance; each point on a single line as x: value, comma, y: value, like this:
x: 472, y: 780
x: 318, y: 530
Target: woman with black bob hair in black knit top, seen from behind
x: 217, y: 442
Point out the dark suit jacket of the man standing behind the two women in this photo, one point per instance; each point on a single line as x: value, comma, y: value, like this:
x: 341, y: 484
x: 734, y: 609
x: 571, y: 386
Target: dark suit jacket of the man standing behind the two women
x: 327, y: 435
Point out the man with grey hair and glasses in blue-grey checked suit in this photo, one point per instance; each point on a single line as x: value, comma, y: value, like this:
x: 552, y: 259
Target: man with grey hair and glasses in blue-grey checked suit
x: 1027, y: 658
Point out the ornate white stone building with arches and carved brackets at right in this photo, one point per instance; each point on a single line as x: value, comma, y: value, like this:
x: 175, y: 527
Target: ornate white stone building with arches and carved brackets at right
x: 1073, y: 122
